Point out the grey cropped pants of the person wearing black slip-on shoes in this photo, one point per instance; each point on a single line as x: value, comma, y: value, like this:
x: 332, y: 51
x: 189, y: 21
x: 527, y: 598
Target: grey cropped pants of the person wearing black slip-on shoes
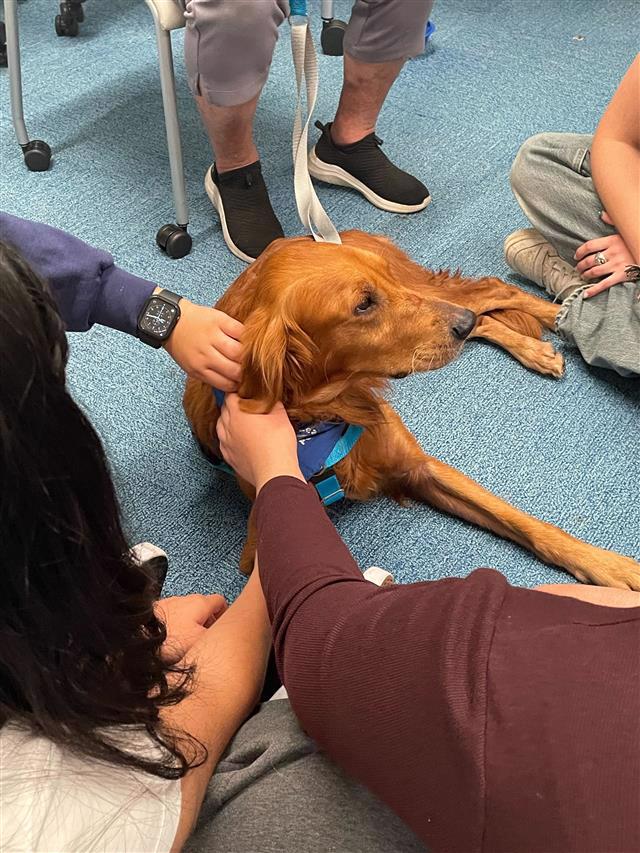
x: 229, y: 43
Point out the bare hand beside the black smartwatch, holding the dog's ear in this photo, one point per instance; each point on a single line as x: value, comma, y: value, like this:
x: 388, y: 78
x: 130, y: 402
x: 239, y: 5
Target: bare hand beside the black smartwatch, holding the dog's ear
x: 206, y: 345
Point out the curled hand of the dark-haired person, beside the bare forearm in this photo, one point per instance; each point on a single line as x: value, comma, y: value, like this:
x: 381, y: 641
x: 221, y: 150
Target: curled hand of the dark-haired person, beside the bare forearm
x: 187, y: 617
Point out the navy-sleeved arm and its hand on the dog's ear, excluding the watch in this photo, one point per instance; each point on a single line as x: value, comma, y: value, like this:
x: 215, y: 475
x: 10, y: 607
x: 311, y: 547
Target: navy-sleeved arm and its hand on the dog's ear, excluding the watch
x: 89, y: 288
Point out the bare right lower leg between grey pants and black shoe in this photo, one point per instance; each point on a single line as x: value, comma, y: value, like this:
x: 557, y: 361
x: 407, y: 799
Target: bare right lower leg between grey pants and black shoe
x: 365, y: 87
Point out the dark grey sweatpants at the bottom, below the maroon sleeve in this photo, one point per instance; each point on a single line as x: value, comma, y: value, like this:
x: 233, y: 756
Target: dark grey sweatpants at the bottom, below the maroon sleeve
x: 273, y: 792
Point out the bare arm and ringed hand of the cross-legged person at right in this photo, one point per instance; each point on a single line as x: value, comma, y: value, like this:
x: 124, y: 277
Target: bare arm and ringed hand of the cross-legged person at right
x: 615, y: 165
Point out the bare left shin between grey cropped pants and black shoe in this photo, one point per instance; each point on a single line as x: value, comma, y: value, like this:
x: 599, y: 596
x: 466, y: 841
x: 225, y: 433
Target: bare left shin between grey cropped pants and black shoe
x: 230, y: 131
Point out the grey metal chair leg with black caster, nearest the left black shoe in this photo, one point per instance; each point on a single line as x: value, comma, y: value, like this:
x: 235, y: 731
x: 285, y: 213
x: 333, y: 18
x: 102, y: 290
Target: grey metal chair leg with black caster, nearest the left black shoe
x: 174, y: 239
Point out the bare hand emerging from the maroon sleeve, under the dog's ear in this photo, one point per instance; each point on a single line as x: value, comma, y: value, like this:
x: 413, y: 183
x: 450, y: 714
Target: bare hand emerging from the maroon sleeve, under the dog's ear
x: 258, y: 447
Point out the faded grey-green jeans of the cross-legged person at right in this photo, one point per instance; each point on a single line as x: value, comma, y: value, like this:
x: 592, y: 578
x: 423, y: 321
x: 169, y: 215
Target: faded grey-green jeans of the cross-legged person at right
x: 551, y: 179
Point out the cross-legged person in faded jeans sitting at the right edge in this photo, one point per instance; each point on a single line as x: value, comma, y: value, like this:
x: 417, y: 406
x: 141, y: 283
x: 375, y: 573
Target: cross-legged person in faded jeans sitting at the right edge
x: 581, y: 194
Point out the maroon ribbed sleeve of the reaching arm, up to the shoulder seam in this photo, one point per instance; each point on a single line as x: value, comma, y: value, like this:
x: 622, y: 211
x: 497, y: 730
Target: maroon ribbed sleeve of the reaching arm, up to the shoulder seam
x: 390, y: 682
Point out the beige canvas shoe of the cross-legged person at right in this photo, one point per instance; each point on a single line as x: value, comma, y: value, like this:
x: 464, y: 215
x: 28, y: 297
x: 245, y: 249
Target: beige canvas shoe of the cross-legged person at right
x: 528, y: 253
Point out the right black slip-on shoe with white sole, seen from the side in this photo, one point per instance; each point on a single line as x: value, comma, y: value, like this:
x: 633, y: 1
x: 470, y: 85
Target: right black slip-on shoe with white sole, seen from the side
x: 365, y: 168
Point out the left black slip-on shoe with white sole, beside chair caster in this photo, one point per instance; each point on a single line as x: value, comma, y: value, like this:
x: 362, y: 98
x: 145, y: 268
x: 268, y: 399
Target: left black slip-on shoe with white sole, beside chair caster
x: 242, y: 201
